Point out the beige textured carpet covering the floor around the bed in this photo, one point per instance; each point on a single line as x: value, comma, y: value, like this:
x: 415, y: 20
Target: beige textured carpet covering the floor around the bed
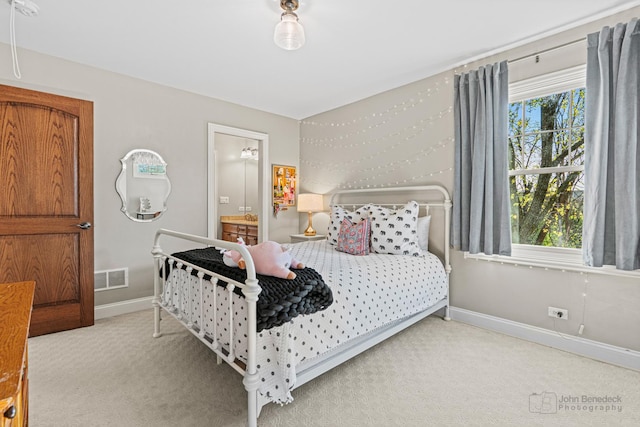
x: 434, y: 373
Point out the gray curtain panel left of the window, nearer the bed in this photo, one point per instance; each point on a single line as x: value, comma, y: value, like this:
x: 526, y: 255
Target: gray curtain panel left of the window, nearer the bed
x: 481, y: 187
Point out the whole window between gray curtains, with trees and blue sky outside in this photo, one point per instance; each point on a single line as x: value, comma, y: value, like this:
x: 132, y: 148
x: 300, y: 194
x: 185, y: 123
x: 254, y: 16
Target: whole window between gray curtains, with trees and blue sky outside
x: 546, y: 159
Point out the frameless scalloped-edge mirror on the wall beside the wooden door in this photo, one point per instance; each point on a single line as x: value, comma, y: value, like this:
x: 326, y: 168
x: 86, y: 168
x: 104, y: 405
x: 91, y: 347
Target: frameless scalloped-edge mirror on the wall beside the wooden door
x: 143, y: 185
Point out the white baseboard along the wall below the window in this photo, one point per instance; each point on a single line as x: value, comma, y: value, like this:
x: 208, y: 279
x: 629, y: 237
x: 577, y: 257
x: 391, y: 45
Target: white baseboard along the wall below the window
x: 578, y: 345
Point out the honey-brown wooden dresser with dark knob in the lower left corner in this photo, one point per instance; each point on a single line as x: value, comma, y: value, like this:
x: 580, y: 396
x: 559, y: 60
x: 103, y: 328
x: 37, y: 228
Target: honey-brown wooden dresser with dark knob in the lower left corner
x: 15, y: 317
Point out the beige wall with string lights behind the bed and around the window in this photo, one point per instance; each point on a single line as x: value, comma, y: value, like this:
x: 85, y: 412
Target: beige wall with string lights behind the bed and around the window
x: 405, y: 136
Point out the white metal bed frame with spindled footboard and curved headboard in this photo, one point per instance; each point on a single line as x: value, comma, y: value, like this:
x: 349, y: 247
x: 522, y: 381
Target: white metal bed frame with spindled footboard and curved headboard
x: 251, y: 290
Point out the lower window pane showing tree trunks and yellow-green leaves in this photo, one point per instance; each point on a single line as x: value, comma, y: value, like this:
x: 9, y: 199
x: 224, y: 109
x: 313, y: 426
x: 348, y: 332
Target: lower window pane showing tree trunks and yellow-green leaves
x: 546, y: 209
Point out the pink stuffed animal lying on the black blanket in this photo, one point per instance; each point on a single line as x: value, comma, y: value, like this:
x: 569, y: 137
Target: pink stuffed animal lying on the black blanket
x: 270, y: 259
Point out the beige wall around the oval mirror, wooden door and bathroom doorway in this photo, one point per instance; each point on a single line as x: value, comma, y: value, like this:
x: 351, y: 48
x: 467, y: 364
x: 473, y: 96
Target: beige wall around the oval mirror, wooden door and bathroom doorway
x: 131, y: 113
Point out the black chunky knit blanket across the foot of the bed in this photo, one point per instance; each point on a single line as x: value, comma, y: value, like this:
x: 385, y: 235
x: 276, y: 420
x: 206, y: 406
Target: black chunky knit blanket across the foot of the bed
x: 280, y: 299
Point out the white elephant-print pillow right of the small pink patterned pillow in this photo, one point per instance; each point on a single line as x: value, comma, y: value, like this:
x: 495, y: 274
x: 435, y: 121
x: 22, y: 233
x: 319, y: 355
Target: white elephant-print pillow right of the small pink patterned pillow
x: 395, y: 231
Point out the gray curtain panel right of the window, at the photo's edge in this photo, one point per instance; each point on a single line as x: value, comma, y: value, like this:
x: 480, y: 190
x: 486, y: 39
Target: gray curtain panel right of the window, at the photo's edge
x: 611, y: 227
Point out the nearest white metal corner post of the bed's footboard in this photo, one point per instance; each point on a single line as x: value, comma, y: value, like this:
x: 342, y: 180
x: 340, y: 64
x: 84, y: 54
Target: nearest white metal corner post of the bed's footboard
x: 251, y: 380
